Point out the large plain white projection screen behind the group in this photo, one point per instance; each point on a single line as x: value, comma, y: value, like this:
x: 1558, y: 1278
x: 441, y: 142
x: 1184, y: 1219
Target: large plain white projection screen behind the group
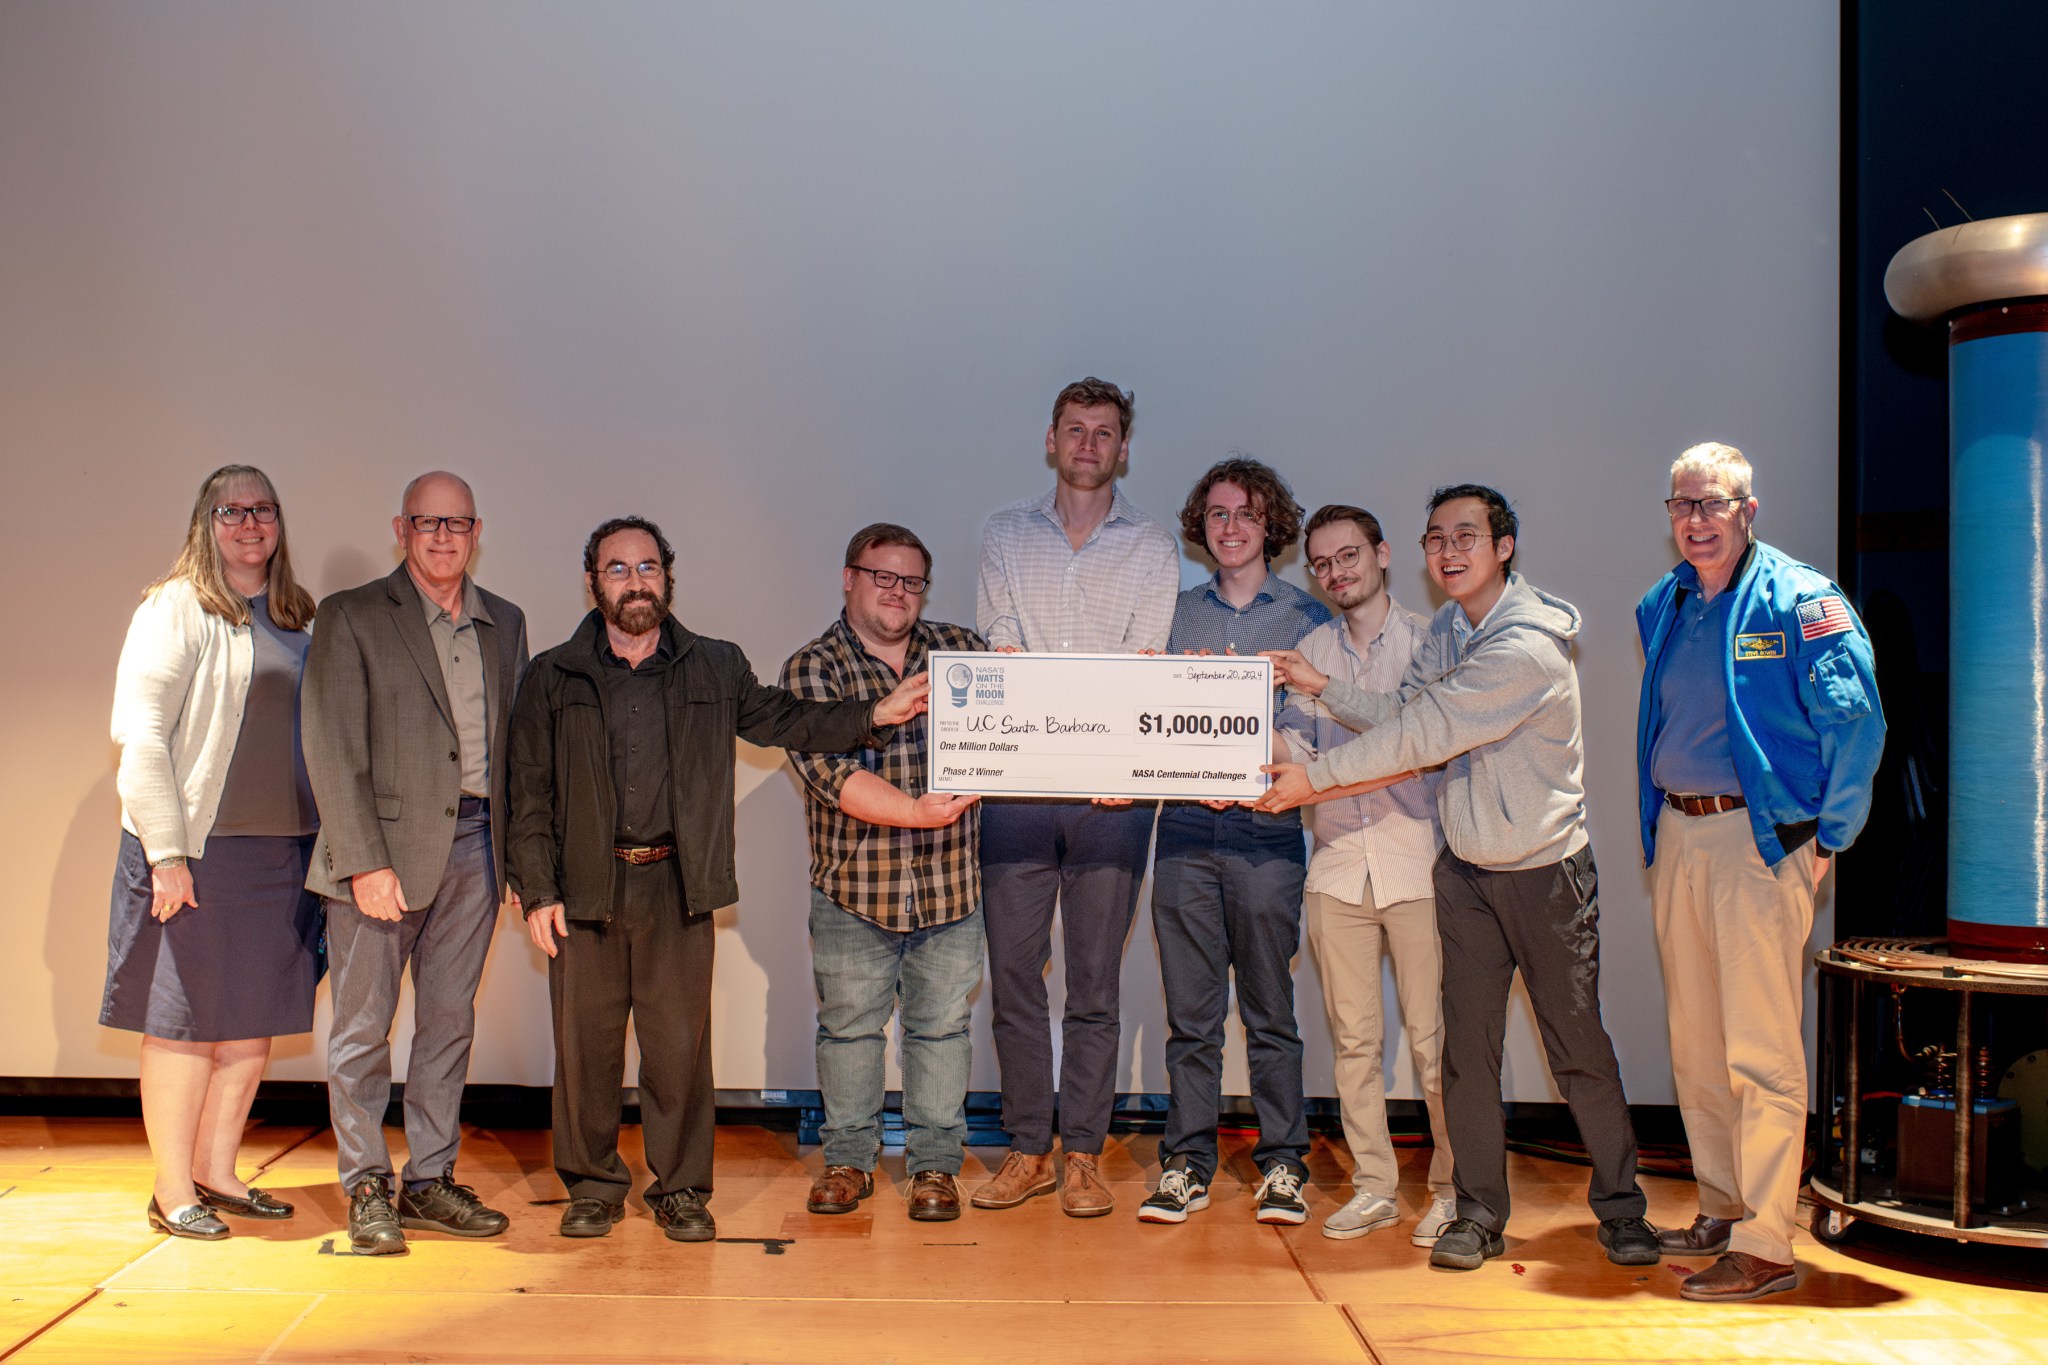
x: 771, y: 271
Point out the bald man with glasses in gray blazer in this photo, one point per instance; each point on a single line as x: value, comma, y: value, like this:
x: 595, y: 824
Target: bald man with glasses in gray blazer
x: 407, y: 701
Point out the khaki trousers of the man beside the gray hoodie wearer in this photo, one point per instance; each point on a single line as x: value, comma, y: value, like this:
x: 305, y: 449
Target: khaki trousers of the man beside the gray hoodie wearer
x: 1349, y: 942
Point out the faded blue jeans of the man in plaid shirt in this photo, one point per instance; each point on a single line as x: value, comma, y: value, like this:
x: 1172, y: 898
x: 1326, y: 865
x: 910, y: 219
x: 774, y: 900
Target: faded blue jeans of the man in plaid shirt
x: 861, y: 975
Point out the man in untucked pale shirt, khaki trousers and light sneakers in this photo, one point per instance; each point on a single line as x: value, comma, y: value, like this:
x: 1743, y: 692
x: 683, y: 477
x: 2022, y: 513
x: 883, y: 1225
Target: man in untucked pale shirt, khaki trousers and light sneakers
x: 1371, y: 881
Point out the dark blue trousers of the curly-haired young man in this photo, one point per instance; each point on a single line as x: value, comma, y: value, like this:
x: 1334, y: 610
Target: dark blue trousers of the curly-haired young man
x: 1228, y: 899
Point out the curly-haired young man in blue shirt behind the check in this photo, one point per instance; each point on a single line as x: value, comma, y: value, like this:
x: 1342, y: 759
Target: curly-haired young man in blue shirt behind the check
x: 1228, y: 879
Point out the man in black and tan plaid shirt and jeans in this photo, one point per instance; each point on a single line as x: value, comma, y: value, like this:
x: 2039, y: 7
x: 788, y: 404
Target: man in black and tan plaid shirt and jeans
x: 896, y: 893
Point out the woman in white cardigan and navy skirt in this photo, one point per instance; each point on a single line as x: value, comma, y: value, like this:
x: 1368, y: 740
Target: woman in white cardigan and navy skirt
x: 214, y: 942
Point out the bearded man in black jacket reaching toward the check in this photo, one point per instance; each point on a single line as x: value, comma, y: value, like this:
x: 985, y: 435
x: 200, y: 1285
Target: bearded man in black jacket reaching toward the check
x: 624, y: 850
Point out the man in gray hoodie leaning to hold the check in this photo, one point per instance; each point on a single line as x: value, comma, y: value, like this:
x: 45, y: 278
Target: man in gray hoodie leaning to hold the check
x: 1494, y: 697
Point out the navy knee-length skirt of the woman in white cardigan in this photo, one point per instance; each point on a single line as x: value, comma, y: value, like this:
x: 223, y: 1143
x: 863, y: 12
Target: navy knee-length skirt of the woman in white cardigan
x: 239, y: 965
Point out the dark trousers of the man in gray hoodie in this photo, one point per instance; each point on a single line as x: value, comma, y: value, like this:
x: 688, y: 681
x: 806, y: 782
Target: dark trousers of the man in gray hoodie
x: 1547, y: 924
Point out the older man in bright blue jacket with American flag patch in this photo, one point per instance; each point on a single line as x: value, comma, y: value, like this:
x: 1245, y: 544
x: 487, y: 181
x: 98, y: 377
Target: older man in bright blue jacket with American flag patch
x: 1756, y: 744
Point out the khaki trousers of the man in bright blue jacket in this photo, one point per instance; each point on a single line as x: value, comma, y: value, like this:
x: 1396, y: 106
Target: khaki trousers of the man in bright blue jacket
x: 1732, y: 934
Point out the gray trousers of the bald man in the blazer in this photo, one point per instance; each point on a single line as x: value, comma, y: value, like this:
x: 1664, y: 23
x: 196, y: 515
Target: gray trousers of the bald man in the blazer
x: 445, y: 944
